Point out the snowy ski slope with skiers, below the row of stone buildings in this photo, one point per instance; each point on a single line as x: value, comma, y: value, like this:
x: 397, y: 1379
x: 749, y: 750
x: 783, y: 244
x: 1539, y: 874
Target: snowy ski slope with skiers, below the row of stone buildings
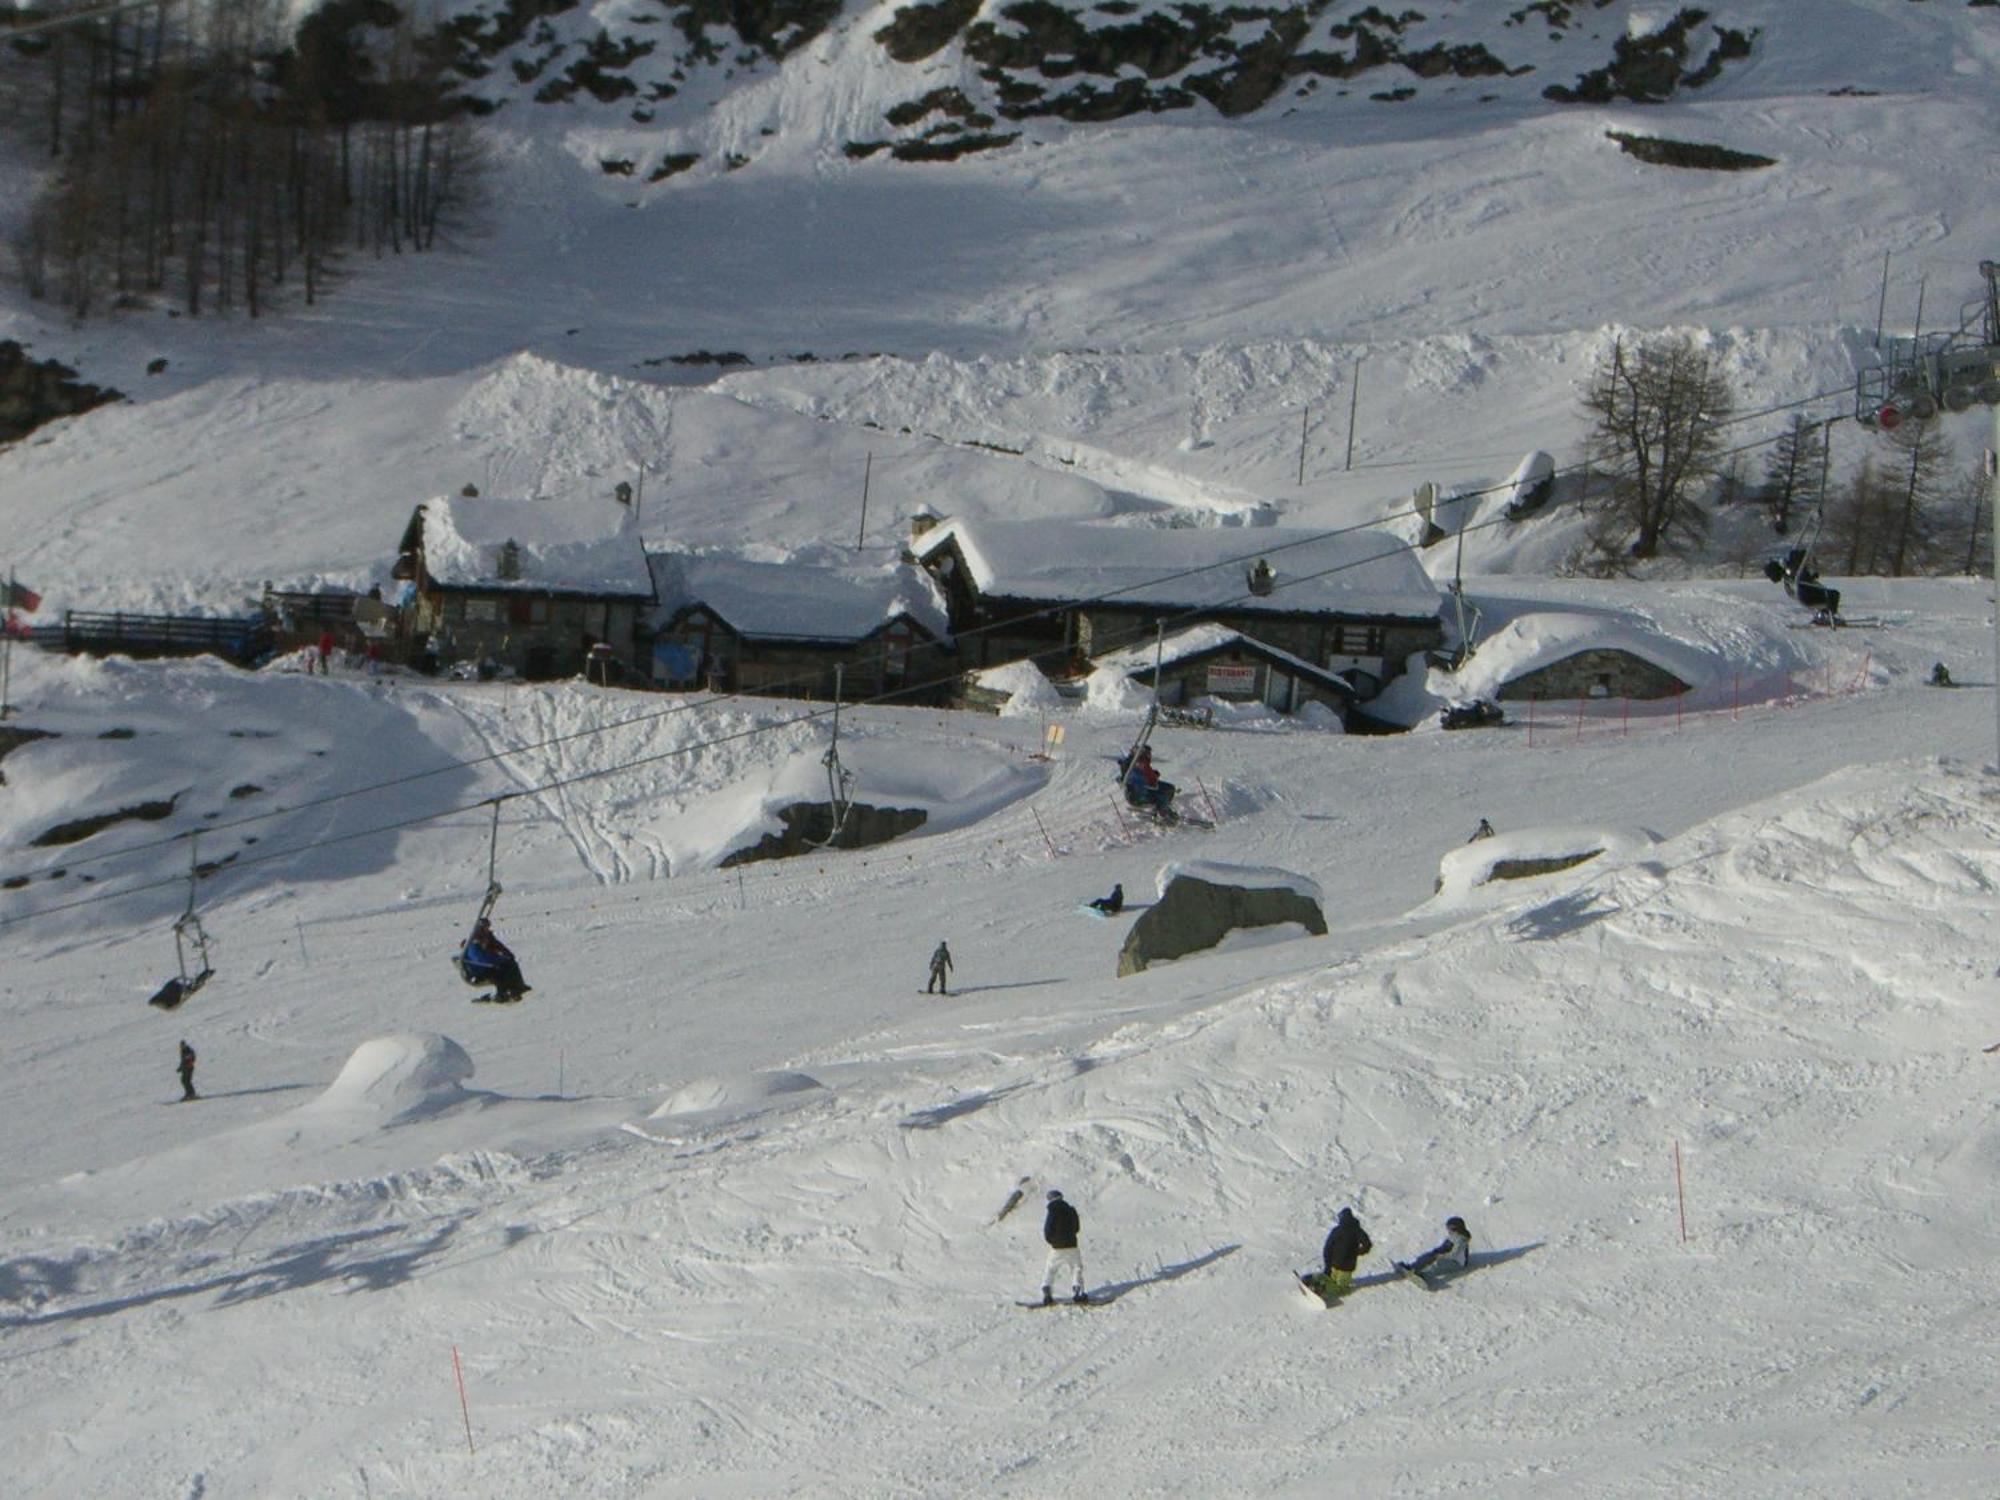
x: 715, y: 1209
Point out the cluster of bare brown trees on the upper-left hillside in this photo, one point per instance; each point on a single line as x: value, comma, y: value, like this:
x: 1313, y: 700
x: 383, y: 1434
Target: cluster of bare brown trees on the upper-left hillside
x: 213, y: 161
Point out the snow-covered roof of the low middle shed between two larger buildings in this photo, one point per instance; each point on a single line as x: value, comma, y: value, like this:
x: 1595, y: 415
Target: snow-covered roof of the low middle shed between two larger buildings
x: 799, y: 601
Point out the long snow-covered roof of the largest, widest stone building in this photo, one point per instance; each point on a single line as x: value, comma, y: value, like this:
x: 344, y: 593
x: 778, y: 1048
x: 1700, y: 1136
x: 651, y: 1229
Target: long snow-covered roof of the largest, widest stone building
x: 1361, y: 573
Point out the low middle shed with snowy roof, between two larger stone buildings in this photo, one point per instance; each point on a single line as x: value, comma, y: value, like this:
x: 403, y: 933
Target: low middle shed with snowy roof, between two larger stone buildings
x: 783, y: 627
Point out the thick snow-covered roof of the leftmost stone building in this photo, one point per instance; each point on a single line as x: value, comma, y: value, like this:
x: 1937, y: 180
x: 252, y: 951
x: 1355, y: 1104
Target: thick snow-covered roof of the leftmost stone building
x: 569, y: 547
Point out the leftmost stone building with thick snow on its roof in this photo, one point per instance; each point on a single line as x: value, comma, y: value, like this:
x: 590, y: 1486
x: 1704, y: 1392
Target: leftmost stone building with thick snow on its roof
x: 531, y: 585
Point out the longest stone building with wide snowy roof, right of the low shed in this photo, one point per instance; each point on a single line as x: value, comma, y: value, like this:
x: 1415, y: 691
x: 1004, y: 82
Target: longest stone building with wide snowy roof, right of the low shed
x: 1349, y: 601
